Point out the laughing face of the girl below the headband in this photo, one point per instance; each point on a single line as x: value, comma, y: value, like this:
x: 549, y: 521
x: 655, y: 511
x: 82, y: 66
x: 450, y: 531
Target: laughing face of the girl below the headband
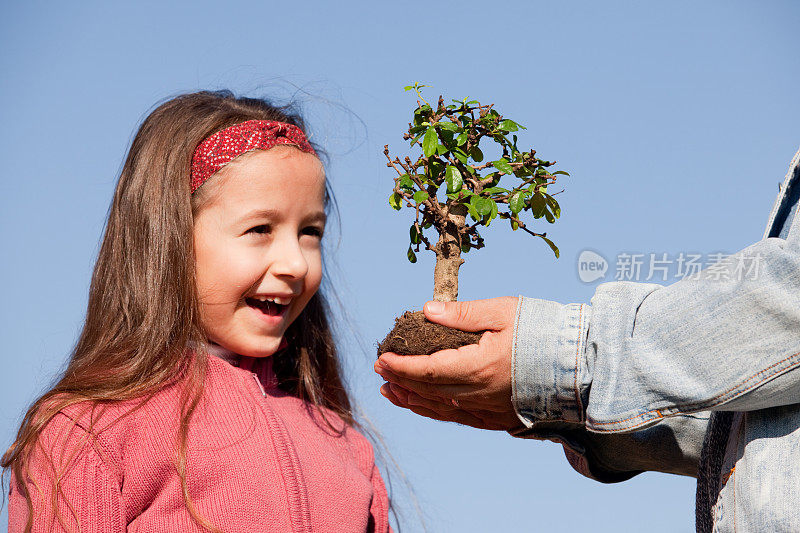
x: 257, y: 247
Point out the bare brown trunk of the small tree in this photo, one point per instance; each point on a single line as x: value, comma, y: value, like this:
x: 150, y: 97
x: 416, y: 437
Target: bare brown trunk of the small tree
x: 448, y: 257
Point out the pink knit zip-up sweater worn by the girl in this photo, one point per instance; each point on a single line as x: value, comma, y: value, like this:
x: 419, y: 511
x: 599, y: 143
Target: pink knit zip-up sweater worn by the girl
x: 259, y: 460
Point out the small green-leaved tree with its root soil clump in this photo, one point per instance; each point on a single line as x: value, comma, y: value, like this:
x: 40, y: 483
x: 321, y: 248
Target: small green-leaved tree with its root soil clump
x: 452, y: 190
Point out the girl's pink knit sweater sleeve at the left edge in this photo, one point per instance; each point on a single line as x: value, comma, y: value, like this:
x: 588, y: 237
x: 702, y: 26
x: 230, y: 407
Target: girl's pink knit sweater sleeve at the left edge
x: 89, y: 498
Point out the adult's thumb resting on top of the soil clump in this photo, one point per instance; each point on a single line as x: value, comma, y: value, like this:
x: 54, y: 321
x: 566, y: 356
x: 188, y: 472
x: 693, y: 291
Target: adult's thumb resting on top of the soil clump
x: 476, y: 315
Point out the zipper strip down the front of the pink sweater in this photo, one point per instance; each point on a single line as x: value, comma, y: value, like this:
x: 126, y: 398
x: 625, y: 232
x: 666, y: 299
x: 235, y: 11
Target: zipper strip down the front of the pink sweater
x: 299, y: 511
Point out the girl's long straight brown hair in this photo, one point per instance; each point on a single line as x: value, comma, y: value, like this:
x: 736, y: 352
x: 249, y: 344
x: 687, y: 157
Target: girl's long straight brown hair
x: 143, y: 308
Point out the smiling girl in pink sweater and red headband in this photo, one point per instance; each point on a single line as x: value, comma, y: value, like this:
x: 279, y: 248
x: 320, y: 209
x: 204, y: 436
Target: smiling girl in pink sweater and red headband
x: 204, y: 392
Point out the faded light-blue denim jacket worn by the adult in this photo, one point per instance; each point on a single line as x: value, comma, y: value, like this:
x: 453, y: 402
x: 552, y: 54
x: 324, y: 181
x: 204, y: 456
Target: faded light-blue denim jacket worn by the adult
x: 630, y: 382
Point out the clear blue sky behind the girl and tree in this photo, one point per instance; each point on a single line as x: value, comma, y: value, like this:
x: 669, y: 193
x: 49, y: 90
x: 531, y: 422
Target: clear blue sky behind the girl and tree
x: 676, y: 121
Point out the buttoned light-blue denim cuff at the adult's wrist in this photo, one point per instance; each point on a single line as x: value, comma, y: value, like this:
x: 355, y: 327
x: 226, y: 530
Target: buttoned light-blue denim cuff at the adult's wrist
x: 550, y: 374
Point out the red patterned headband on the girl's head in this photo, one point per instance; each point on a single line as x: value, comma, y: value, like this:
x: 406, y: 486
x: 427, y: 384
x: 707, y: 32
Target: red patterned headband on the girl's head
x: 223, y: 146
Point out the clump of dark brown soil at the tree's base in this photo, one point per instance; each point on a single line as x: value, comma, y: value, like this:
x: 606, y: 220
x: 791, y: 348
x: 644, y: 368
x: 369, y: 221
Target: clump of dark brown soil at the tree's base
x: 413, y: 334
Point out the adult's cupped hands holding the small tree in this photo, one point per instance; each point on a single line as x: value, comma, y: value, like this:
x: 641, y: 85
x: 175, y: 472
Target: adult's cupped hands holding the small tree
x: 470, y: 385
